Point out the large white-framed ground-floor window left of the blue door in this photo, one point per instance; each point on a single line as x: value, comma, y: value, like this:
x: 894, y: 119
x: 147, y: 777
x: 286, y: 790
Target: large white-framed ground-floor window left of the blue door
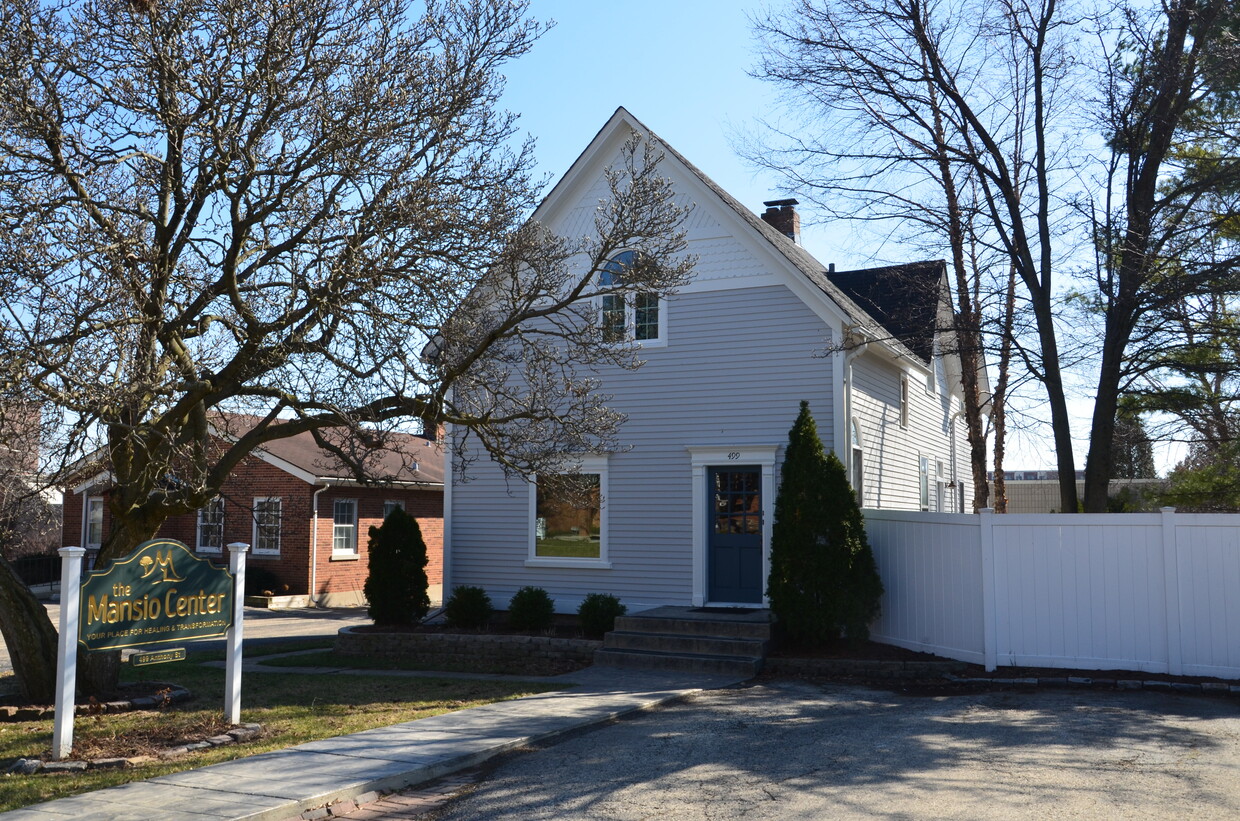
x: 570, y: 517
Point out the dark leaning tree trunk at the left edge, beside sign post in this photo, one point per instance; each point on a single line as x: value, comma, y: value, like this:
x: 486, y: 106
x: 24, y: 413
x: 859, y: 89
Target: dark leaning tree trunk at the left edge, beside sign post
x: 30, y: 637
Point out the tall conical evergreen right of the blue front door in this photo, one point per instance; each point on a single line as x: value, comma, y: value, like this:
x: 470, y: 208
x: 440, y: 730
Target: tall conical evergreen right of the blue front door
x: 823, y: 577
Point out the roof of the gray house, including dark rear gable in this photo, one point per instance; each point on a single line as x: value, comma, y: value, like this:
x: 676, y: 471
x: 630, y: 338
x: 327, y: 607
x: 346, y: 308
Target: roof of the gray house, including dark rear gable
x: 866, y: 307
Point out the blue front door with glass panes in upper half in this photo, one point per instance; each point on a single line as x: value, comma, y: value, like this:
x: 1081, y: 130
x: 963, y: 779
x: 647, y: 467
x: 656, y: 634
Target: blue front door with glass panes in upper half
x: 735, y: 553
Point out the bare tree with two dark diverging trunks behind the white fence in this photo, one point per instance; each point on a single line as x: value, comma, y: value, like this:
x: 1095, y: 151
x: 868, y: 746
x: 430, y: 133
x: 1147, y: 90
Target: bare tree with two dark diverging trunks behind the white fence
x: 917, y: 94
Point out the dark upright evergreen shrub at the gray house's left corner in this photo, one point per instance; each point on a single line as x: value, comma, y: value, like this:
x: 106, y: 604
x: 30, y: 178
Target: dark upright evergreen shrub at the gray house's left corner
x: 396, y: 584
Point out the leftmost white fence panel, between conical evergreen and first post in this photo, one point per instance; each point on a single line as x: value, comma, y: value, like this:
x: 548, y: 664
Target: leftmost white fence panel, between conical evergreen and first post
x: 932, y: 579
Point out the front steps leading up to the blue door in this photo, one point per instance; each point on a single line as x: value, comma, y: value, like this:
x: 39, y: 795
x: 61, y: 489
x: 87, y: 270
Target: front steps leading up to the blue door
x: 688, y: 641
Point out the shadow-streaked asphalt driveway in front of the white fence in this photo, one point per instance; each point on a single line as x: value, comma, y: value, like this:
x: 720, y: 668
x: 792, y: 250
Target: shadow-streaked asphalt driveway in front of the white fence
x: 797, y: 751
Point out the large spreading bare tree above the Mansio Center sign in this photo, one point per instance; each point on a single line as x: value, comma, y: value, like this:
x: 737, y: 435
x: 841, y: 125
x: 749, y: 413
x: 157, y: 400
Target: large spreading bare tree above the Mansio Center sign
x: 277, y: 209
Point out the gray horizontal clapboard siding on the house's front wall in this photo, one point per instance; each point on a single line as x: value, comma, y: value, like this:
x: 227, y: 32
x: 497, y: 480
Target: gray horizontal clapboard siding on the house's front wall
x: 736, y: 368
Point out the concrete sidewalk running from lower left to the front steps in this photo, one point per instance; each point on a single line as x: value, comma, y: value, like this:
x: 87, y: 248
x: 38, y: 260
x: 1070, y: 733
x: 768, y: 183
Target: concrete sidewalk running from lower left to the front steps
x: 285, y: 783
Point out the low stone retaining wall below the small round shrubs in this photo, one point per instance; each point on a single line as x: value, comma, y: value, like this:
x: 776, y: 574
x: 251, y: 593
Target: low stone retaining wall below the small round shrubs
x: 515, y: 655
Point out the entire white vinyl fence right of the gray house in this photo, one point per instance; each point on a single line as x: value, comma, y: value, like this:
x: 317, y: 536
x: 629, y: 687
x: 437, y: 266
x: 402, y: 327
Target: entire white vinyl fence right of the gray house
x: 1149, y: 592
